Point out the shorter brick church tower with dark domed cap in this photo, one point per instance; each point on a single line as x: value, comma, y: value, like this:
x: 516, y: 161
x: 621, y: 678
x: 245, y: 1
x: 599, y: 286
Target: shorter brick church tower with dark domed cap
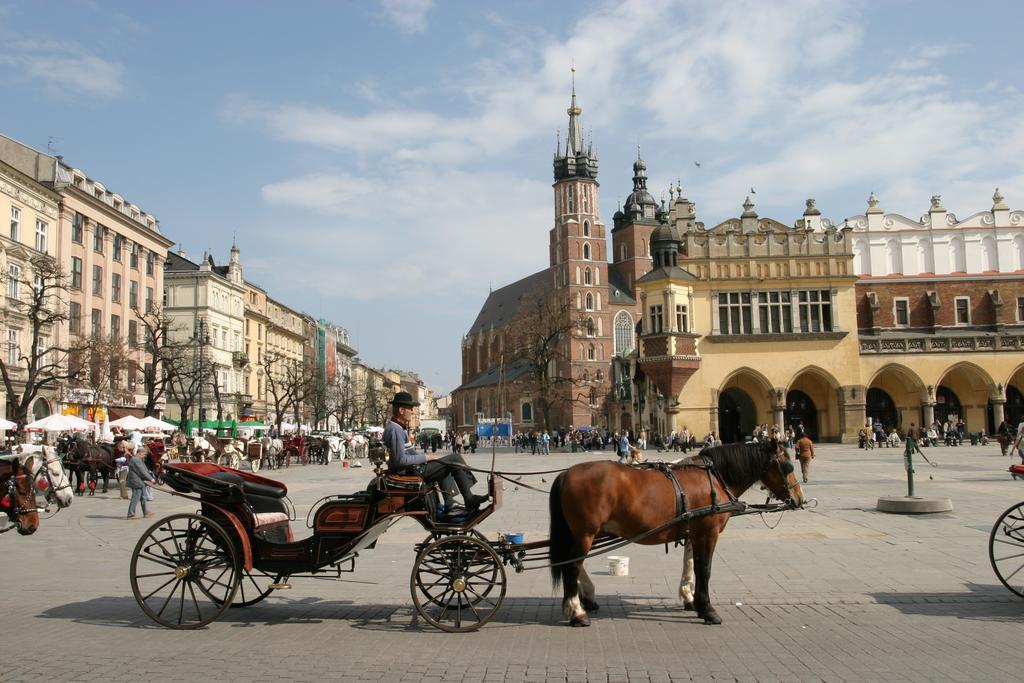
x: 632, y: 230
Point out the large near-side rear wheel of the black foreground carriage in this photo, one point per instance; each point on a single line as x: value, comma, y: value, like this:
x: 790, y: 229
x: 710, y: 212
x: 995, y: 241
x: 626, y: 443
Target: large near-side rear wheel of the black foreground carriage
x: 185, y: 572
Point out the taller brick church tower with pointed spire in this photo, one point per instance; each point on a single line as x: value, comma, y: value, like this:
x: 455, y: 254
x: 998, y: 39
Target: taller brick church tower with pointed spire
x: 580, y: 267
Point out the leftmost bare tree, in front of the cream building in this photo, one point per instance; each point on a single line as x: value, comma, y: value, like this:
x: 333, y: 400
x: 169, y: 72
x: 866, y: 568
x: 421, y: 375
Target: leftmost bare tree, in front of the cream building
x: 32, y: 367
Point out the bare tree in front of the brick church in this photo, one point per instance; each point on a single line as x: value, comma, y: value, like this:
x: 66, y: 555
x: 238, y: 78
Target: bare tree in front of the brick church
x: 541, y: 337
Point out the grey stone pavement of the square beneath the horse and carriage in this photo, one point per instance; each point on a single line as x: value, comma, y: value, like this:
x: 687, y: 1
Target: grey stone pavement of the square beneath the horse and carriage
x: 837, y: 593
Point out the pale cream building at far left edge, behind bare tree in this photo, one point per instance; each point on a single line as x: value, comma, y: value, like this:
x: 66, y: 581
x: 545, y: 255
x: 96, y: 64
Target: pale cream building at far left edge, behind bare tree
x: 33, y: 209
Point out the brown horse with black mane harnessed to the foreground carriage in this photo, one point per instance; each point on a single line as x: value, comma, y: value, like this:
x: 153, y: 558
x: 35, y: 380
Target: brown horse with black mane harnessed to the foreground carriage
x: 606, y: 498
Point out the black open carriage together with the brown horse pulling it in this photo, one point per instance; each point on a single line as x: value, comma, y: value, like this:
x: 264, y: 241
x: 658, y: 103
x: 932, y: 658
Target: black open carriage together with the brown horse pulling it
x: 240, y: 546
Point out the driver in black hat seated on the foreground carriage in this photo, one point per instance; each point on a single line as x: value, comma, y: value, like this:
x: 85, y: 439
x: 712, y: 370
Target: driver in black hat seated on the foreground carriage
x: 406, y: 460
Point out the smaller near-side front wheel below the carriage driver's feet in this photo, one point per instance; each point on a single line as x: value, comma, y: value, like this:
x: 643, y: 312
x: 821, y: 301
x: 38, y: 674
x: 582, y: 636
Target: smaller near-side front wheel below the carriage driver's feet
x: 453, y: 581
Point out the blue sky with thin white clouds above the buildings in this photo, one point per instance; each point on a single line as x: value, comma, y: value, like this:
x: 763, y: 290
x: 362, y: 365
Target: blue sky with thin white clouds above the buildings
x: 385, y: 163
